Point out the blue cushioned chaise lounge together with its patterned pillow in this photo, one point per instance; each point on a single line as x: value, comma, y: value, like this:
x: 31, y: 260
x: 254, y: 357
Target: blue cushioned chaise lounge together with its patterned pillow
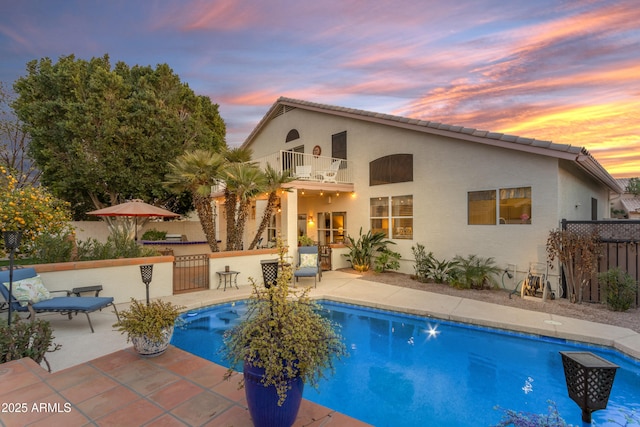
x: 30, y: 295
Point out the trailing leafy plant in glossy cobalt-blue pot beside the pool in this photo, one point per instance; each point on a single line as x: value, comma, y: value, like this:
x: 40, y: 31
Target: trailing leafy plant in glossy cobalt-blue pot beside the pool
x: 283, y: 343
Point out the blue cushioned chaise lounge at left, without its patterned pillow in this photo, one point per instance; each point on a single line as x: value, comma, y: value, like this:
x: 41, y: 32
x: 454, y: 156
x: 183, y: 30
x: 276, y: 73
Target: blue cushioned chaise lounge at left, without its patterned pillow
x: 66, y: 305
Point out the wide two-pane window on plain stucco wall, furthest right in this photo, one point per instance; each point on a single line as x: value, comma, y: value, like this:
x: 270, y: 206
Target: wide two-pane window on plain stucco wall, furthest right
x: 514, y: 204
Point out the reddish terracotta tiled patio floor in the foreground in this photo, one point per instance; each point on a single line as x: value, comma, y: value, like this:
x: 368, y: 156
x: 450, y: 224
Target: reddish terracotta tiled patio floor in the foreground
x: 123, y: 389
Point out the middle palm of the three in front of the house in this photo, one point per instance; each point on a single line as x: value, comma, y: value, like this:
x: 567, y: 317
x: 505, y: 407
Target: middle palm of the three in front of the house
x: 244, y: 181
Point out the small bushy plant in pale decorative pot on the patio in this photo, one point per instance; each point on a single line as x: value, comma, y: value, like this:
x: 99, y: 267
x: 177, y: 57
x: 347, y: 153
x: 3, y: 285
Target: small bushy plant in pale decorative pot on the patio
x: 149, y: 326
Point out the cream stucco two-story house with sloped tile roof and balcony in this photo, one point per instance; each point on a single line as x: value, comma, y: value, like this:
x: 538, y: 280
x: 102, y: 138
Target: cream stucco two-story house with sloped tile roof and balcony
x: 456, y: 190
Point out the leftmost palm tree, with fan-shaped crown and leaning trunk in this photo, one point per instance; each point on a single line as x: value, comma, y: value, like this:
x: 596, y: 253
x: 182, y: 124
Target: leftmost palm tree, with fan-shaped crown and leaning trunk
x: 196, y: 171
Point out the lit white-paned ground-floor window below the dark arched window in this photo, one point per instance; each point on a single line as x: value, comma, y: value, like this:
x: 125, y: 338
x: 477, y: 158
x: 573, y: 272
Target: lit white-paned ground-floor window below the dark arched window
x: 392, y: 216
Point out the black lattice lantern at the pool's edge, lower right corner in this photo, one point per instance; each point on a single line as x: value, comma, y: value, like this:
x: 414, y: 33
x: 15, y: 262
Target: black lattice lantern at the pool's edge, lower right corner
x: 589, y: 380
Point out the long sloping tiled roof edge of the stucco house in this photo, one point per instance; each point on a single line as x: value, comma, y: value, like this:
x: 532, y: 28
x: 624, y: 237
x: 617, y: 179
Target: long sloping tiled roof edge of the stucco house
x: 579, y: 155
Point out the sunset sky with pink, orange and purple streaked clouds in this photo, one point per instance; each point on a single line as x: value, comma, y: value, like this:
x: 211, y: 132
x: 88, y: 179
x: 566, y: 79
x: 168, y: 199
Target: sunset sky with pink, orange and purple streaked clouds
x: 565, y: 71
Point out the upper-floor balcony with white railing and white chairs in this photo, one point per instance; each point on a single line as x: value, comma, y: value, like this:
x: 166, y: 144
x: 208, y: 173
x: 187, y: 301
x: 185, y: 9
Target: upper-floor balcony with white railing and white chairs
x: 307, y: 167
